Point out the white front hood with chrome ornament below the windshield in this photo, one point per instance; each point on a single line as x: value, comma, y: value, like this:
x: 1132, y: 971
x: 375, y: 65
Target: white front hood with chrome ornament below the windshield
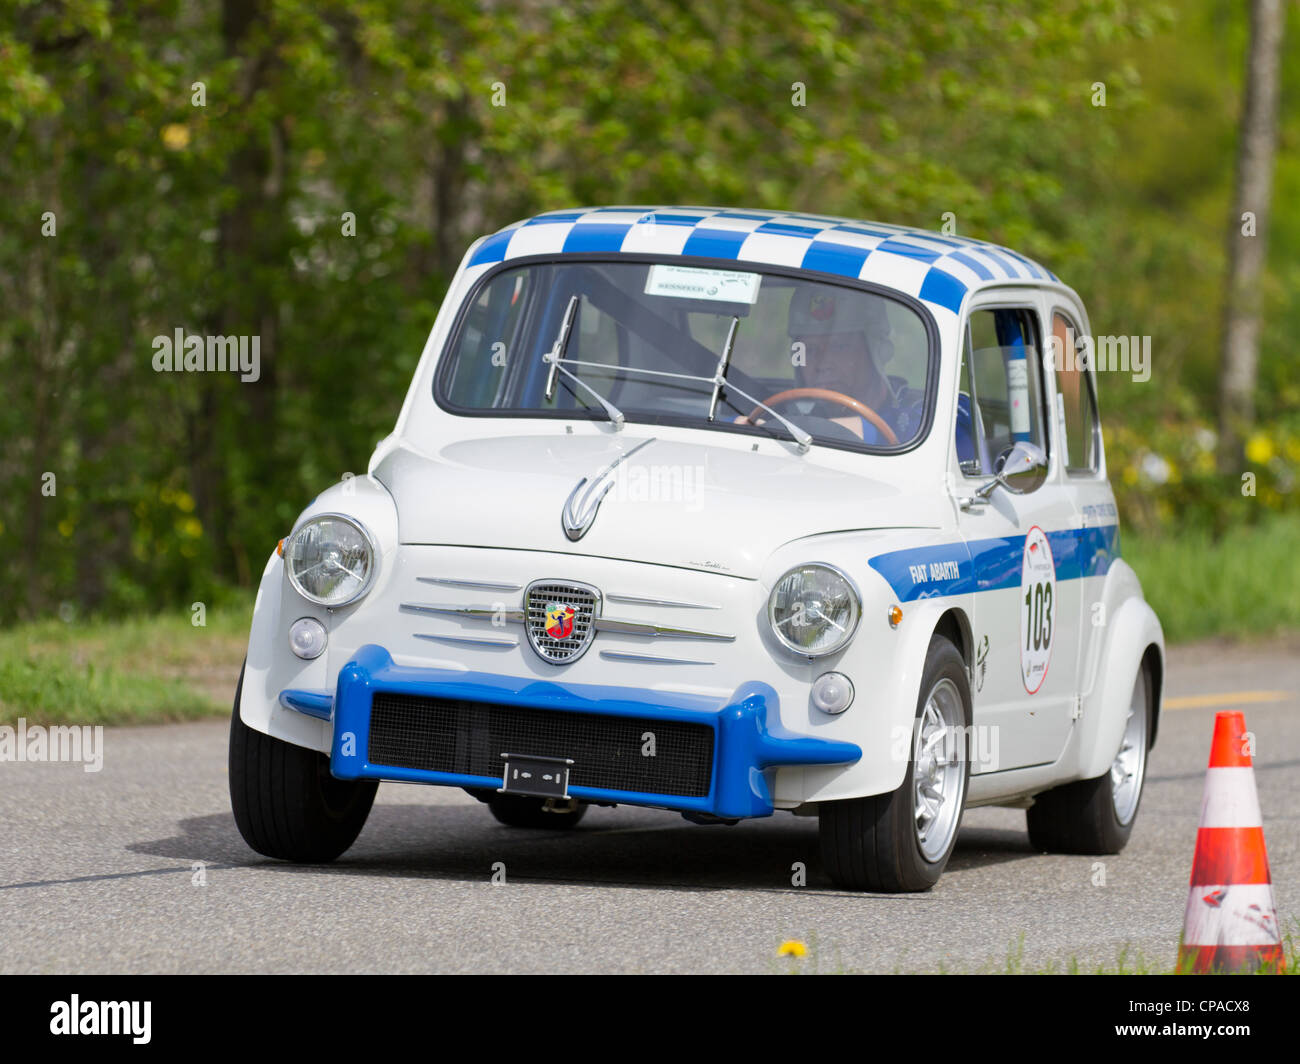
x: 669, y: 503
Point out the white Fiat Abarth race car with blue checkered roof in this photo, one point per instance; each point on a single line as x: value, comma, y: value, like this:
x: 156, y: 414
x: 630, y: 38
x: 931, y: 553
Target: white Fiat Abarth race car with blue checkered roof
x: 720, y: 512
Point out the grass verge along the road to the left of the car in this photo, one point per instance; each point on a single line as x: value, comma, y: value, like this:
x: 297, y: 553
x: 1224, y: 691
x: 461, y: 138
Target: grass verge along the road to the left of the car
x: 137, y: 672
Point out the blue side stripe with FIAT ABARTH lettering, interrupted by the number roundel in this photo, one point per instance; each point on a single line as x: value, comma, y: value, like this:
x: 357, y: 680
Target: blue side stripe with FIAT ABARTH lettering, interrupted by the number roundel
x: 994, y: 565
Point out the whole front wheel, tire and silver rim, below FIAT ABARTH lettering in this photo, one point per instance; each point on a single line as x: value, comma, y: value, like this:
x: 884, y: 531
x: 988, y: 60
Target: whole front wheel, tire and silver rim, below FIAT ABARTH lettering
x: 903, y: 841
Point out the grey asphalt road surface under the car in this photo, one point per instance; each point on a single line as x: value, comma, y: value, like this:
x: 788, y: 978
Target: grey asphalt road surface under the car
x: 99, y: 872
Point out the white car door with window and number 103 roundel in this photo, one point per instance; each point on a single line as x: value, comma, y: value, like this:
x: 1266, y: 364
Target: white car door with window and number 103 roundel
x: 1026, y: 609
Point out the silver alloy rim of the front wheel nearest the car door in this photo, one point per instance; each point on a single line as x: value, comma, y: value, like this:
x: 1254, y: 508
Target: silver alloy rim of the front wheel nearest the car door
x: 939, y: 776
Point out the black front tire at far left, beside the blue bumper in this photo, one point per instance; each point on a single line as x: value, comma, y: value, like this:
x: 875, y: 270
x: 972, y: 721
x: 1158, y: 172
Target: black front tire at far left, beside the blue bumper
x: 285, y: 801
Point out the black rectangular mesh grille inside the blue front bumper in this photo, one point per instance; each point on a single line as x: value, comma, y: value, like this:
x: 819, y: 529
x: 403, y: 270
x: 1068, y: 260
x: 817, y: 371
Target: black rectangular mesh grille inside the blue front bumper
x: 469, y: 738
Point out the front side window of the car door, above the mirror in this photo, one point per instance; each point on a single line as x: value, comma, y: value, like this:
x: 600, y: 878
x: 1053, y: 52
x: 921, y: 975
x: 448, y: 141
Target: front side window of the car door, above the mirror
x: 1002, y: 390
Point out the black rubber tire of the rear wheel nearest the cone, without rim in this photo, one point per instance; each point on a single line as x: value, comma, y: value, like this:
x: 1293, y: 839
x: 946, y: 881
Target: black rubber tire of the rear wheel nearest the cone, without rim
x: 1081, y: 818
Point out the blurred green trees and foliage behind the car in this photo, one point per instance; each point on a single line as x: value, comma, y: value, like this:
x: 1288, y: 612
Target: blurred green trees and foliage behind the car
x: 197, y: 161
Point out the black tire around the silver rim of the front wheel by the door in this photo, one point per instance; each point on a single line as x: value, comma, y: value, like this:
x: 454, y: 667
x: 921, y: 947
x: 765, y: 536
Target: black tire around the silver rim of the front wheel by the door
x: 872, y: 844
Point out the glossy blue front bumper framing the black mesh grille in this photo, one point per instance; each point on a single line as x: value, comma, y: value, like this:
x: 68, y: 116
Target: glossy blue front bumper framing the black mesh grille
x: 749, y: 741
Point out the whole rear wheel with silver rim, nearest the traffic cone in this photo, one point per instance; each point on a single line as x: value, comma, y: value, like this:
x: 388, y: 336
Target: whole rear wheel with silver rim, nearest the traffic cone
x: 1097, y: 816
